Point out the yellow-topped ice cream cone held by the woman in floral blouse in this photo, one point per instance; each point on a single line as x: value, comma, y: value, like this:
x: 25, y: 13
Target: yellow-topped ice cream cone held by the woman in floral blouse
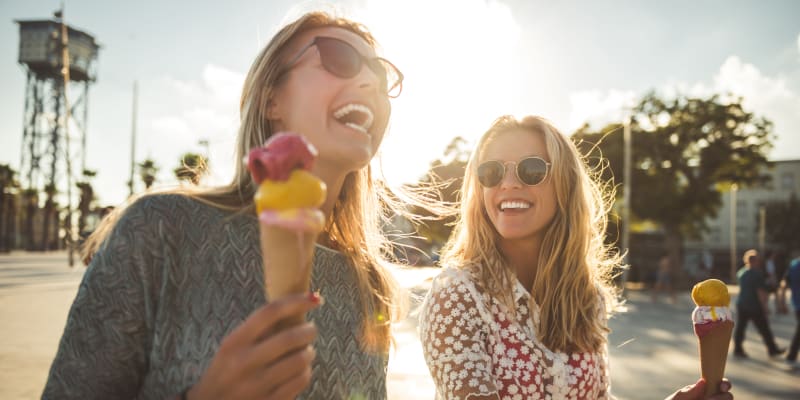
x: 713, y: 325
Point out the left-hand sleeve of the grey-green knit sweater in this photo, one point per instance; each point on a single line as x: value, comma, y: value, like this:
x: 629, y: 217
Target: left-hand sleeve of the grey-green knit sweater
x: 104, y: 349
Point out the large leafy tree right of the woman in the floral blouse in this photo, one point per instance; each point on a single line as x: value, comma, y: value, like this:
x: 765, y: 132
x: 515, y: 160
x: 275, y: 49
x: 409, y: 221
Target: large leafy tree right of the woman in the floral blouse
x: 685, y: 151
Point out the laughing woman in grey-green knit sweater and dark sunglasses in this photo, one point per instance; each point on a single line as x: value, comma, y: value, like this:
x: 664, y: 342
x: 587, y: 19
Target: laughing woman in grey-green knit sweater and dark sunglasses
x: 172, y: 304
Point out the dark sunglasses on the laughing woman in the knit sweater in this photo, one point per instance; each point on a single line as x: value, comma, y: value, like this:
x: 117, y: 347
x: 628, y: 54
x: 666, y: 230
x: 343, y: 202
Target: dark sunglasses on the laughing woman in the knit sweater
x: 343, y: 60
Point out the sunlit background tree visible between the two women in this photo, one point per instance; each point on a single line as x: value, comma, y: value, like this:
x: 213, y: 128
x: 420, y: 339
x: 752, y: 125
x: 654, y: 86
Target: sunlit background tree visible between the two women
x: 444, y: 177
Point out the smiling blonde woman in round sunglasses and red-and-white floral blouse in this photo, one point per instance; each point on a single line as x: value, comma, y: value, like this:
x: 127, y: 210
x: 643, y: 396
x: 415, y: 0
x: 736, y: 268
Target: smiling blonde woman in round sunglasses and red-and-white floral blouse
x: 520, y: 310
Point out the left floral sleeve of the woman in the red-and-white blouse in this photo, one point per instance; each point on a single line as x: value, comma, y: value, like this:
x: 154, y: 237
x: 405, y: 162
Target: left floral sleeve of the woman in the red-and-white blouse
x: 454, y: 340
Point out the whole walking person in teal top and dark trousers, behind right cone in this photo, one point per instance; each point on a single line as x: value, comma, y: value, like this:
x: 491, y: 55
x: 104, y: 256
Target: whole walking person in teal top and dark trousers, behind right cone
x: 751, y: 304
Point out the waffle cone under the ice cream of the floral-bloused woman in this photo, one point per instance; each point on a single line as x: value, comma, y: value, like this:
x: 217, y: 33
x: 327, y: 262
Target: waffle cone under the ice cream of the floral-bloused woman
x: 714, y: 354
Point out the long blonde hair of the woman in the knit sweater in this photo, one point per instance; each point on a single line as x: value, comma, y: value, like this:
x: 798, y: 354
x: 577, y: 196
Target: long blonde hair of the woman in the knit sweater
x: 355, y: 222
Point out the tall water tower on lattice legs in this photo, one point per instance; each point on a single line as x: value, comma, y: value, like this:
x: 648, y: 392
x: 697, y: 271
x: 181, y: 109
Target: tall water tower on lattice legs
x: 55, y: 115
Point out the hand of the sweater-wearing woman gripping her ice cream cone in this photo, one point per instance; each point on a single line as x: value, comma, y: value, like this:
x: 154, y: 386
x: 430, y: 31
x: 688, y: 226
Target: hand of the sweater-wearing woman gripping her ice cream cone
x: 257, y: 362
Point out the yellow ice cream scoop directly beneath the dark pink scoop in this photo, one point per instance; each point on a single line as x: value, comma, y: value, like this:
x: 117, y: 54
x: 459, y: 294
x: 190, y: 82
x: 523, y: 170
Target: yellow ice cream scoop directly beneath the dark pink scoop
x: 301, y: 190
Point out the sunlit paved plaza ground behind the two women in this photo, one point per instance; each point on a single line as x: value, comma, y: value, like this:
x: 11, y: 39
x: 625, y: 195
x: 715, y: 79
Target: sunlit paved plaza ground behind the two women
x: 653, y: 350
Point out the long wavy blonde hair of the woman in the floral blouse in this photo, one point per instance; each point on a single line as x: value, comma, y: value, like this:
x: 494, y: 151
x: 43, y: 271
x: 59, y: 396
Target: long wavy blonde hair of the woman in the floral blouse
x: 573, y: 282
